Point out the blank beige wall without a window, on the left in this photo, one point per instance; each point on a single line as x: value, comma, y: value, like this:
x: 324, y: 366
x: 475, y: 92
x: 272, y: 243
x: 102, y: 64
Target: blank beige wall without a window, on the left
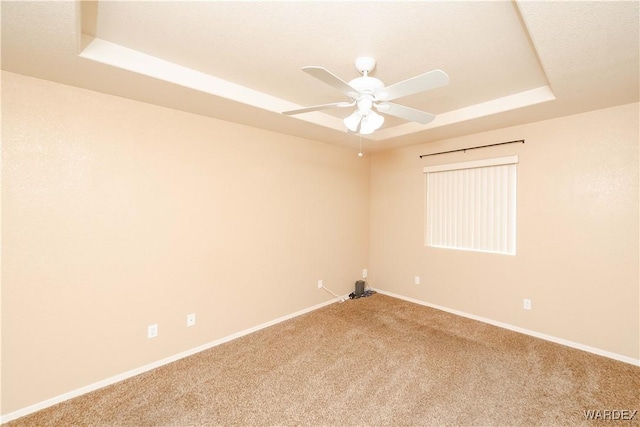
x: 118, y: 214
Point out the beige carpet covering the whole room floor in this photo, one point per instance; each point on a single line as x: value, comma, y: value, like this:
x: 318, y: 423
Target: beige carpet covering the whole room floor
x: 371, y: 361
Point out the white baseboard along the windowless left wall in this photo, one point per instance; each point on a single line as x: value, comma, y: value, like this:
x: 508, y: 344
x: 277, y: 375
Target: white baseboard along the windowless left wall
x: 115, y: 379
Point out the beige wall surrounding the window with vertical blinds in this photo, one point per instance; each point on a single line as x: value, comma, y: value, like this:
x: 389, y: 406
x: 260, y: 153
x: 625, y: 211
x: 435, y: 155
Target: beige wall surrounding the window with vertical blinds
x: 577, y: 231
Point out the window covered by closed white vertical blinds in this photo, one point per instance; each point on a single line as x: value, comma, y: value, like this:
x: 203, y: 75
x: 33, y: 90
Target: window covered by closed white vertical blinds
x: 472, y: 205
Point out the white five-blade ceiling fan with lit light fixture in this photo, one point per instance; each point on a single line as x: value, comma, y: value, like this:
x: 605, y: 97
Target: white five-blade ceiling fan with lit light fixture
x: 368, y: 93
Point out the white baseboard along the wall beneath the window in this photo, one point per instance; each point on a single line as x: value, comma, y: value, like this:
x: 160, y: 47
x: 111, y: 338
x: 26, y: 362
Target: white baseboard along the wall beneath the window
x: 535, y: 334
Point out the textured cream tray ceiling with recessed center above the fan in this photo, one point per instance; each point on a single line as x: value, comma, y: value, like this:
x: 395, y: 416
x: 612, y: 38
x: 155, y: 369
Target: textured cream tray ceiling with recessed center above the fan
x: 509, y: 62
